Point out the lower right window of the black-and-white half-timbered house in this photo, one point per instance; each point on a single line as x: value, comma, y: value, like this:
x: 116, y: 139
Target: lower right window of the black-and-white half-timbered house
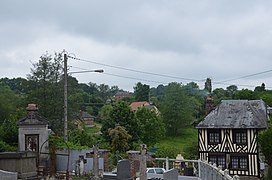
x: 240, y: 163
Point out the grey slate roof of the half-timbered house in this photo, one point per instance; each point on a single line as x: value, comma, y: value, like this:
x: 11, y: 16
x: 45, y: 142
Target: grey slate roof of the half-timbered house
x: 237, y: 114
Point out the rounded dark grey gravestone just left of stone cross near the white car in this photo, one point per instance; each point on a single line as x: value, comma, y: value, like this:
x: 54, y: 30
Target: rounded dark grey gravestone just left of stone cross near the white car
x: 123, y: 170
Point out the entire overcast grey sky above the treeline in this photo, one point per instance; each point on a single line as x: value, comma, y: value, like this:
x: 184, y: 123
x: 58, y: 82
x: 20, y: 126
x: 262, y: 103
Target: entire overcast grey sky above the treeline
x: 185, y: 39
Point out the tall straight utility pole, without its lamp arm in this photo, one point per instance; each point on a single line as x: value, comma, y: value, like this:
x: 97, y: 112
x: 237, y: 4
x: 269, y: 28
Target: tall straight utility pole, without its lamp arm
x: 65, y: 100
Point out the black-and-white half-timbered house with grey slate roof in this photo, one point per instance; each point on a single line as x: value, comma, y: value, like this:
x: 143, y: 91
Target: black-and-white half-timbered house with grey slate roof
x: 228, y: 136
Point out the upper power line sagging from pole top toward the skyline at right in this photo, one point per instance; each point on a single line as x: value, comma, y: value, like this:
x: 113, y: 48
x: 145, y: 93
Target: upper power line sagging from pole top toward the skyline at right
x: 137, y: 71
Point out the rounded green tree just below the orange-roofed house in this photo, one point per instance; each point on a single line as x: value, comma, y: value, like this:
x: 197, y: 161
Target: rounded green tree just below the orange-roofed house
x: 151, y: 126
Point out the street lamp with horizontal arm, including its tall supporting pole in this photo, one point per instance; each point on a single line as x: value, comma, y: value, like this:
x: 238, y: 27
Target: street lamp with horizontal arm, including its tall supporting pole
x: 65, y: 94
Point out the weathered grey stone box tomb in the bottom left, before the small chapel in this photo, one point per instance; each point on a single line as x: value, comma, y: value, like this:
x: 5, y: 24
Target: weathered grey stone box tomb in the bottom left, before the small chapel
x: 24, y: 163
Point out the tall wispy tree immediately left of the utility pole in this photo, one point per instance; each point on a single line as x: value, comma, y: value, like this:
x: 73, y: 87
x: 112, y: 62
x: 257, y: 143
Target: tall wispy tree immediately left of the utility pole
x: 46, y: 88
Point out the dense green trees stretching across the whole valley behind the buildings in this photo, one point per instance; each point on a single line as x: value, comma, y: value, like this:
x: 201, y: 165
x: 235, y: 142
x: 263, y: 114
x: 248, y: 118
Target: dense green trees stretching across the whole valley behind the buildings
x: 179, y: 106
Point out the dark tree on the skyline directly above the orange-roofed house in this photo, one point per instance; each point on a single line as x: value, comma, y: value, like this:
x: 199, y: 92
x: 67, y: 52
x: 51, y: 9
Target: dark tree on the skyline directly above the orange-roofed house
x: 141, y: 92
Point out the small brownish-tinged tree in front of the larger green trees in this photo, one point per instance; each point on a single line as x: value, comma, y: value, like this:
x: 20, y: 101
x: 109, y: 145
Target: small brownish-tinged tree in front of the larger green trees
x: 119, y: 139
